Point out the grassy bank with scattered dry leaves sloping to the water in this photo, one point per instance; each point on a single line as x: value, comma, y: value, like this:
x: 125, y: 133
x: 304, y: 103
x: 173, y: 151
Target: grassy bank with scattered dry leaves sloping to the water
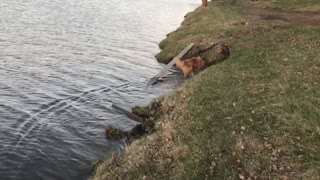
x: 256, y: 115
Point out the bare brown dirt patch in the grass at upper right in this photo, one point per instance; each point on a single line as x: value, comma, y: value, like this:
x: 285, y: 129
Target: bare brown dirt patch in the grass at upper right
x: 305, y: 18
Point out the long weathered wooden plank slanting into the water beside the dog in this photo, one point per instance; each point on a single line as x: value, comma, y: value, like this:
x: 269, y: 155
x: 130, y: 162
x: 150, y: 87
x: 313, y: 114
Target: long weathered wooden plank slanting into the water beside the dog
x: 155, y: 78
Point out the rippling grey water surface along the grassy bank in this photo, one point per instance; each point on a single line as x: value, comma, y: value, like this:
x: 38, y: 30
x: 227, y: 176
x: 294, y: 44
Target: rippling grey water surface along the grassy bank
x: 62, y: 65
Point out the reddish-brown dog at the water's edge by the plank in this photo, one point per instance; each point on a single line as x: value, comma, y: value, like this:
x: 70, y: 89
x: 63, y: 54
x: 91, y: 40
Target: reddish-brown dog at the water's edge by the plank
x: 188, y: 66
